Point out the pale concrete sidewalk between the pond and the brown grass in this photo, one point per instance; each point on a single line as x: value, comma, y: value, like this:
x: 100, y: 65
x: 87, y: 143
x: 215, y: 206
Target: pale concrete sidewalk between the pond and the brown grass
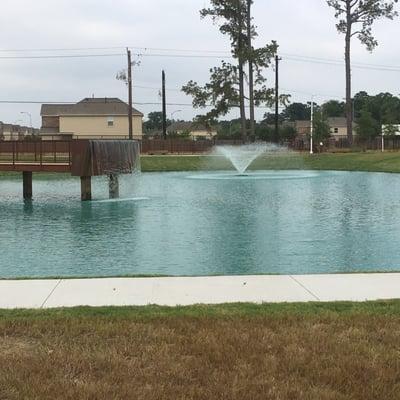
x: 199, y: 290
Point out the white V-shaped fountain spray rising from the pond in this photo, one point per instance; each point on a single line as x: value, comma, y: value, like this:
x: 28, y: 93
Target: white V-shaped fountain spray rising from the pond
x: 243, y: 156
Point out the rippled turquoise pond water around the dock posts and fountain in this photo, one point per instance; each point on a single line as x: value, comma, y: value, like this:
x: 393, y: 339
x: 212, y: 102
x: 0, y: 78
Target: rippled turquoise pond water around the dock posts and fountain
x: 280, y: 222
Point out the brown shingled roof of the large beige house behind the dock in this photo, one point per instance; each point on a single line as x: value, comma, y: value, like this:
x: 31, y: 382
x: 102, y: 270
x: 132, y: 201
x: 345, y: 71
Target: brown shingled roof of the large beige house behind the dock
x: 88, y: 107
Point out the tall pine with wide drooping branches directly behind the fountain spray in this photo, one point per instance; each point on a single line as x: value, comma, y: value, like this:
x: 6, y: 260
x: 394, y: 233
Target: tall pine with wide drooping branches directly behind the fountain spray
x: 226, y: 88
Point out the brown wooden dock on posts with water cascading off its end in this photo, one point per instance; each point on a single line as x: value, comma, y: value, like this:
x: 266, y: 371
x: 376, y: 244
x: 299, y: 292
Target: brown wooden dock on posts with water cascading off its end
x: 77, y: 157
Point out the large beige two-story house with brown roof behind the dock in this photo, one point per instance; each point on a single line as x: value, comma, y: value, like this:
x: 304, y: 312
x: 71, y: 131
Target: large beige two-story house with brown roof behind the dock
x: 91, y: 118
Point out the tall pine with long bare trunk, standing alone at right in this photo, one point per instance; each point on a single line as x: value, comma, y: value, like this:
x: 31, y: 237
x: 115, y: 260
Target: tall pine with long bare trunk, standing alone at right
x: 356, y: 18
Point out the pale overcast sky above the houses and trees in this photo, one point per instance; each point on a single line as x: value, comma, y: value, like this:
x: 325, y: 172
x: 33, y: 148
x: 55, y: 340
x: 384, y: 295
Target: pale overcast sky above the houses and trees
x: 169, y: 35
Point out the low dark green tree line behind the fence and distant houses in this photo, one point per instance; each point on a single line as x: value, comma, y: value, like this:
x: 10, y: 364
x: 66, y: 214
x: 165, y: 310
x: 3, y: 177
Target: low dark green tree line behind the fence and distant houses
x: 370, y: 113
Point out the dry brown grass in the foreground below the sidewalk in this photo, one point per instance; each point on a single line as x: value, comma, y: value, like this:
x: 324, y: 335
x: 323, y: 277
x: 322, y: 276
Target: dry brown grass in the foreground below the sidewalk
x: 259, y: 353
